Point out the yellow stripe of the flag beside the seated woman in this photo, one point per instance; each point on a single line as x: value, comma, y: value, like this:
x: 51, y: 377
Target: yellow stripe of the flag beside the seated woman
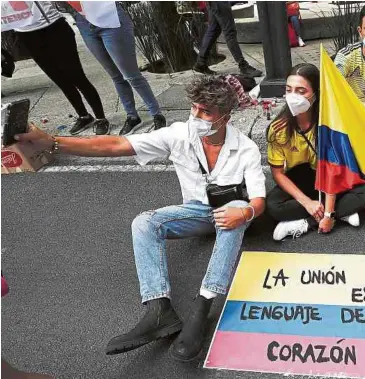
x: 340, y: 108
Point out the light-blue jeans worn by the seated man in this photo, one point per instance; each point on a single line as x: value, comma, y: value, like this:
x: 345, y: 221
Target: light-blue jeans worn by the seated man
x: 193, y: 219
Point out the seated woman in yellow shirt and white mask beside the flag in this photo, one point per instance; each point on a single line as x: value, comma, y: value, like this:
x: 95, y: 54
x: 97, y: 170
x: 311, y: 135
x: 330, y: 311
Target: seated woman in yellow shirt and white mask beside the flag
x: 294, y: 202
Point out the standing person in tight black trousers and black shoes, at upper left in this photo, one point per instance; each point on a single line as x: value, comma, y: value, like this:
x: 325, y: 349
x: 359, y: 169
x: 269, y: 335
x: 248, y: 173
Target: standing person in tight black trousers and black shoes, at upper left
x: 51, y: 43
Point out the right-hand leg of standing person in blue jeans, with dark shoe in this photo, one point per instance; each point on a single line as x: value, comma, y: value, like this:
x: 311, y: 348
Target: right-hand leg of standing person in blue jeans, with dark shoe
x: 120, y: 44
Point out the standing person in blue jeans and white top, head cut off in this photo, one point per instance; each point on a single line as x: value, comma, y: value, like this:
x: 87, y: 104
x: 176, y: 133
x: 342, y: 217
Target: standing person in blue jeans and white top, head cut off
x: 108, y: 33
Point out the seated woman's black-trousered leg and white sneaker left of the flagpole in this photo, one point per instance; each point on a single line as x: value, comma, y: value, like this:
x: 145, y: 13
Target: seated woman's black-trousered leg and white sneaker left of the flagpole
x: 293, y: 218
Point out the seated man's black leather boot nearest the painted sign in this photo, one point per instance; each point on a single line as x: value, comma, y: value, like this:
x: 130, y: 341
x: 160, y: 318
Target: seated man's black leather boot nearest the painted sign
x: 189, y: 343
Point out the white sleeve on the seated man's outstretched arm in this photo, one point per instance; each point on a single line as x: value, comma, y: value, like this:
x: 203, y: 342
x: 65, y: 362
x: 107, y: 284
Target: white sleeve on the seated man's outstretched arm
x: 149, y: 146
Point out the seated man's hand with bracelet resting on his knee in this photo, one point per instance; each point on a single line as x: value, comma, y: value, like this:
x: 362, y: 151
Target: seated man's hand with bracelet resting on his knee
x: 231, y: 218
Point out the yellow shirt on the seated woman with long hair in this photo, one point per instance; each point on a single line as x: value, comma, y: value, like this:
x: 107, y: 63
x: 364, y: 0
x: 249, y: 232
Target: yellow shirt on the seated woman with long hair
x: 288, y: 153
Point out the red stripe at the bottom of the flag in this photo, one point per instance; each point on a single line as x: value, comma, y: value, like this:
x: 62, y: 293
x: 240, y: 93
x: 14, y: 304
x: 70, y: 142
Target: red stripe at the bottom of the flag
x: 333, y: 178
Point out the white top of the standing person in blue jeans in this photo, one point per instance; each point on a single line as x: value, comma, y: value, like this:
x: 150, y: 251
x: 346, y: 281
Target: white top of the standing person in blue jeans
x: 103, y: 14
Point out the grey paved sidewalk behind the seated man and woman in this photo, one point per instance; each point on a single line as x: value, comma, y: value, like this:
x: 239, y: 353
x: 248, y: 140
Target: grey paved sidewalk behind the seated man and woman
x: 48, y: 101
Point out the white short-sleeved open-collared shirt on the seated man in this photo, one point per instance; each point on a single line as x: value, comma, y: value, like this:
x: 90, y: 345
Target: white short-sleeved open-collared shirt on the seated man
x: 239, y: 160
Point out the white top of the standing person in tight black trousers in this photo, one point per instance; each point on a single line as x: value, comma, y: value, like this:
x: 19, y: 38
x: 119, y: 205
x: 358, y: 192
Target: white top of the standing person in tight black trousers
x: 38, y: 21
